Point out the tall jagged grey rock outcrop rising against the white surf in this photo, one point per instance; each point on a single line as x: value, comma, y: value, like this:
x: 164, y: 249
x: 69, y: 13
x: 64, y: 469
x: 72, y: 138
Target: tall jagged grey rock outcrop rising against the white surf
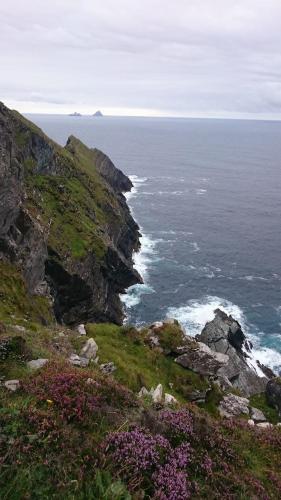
x: 224, y: 335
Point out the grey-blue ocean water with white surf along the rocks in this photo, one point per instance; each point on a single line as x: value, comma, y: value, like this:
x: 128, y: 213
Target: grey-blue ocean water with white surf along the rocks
x: 207, y: 196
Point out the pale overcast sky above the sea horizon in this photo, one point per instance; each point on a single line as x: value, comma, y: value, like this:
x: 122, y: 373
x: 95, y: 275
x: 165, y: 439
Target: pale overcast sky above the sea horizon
x: 204, y: 58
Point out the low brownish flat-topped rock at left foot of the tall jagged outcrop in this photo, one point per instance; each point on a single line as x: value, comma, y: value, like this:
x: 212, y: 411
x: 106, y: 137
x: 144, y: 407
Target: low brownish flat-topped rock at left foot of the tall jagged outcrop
x: 201, y: 359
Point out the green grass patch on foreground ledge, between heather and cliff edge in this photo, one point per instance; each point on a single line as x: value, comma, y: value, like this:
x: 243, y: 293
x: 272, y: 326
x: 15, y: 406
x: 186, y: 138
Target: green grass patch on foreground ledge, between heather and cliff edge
x: 138, y: 365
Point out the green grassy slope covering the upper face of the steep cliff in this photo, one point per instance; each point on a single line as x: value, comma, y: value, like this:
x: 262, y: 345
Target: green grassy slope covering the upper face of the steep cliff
x: 76, y: 207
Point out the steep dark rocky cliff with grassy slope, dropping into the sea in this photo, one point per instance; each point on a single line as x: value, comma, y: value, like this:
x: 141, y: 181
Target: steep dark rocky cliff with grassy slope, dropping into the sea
x: 65, y: 222
